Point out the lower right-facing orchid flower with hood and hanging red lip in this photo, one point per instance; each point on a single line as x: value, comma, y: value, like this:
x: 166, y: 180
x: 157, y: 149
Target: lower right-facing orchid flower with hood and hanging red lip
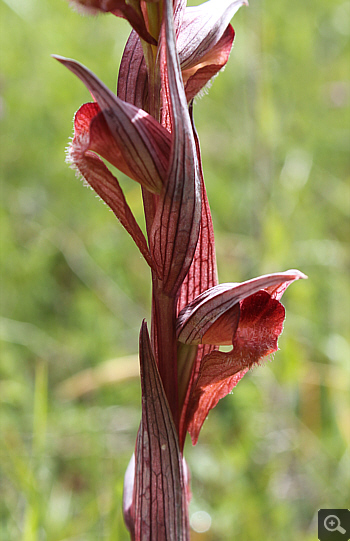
x: 247, y: 316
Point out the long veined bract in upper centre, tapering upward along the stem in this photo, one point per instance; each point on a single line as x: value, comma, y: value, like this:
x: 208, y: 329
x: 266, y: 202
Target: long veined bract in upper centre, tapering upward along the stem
x: 176, y: 224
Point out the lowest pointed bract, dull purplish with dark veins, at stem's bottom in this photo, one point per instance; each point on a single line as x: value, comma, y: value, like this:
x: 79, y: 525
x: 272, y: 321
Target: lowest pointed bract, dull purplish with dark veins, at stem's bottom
x: 159, y: 509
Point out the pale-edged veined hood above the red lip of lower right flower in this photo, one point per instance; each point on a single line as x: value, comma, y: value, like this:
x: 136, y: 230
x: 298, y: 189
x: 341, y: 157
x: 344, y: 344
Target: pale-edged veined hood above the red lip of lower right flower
x: 198, y: 317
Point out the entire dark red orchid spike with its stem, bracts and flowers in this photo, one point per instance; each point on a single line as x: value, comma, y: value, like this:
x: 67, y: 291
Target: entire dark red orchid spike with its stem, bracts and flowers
x: 147, y: 132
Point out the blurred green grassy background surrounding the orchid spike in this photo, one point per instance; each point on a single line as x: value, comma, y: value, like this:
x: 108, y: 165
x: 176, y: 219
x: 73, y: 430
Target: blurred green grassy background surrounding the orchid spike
x: 274, y: 131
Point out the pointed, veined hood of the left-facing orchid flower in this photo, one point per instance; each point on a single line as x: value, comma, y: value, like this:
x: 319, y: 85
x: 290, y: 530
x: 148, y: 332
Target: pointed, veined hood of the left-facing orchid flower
x: 143, y: 142
